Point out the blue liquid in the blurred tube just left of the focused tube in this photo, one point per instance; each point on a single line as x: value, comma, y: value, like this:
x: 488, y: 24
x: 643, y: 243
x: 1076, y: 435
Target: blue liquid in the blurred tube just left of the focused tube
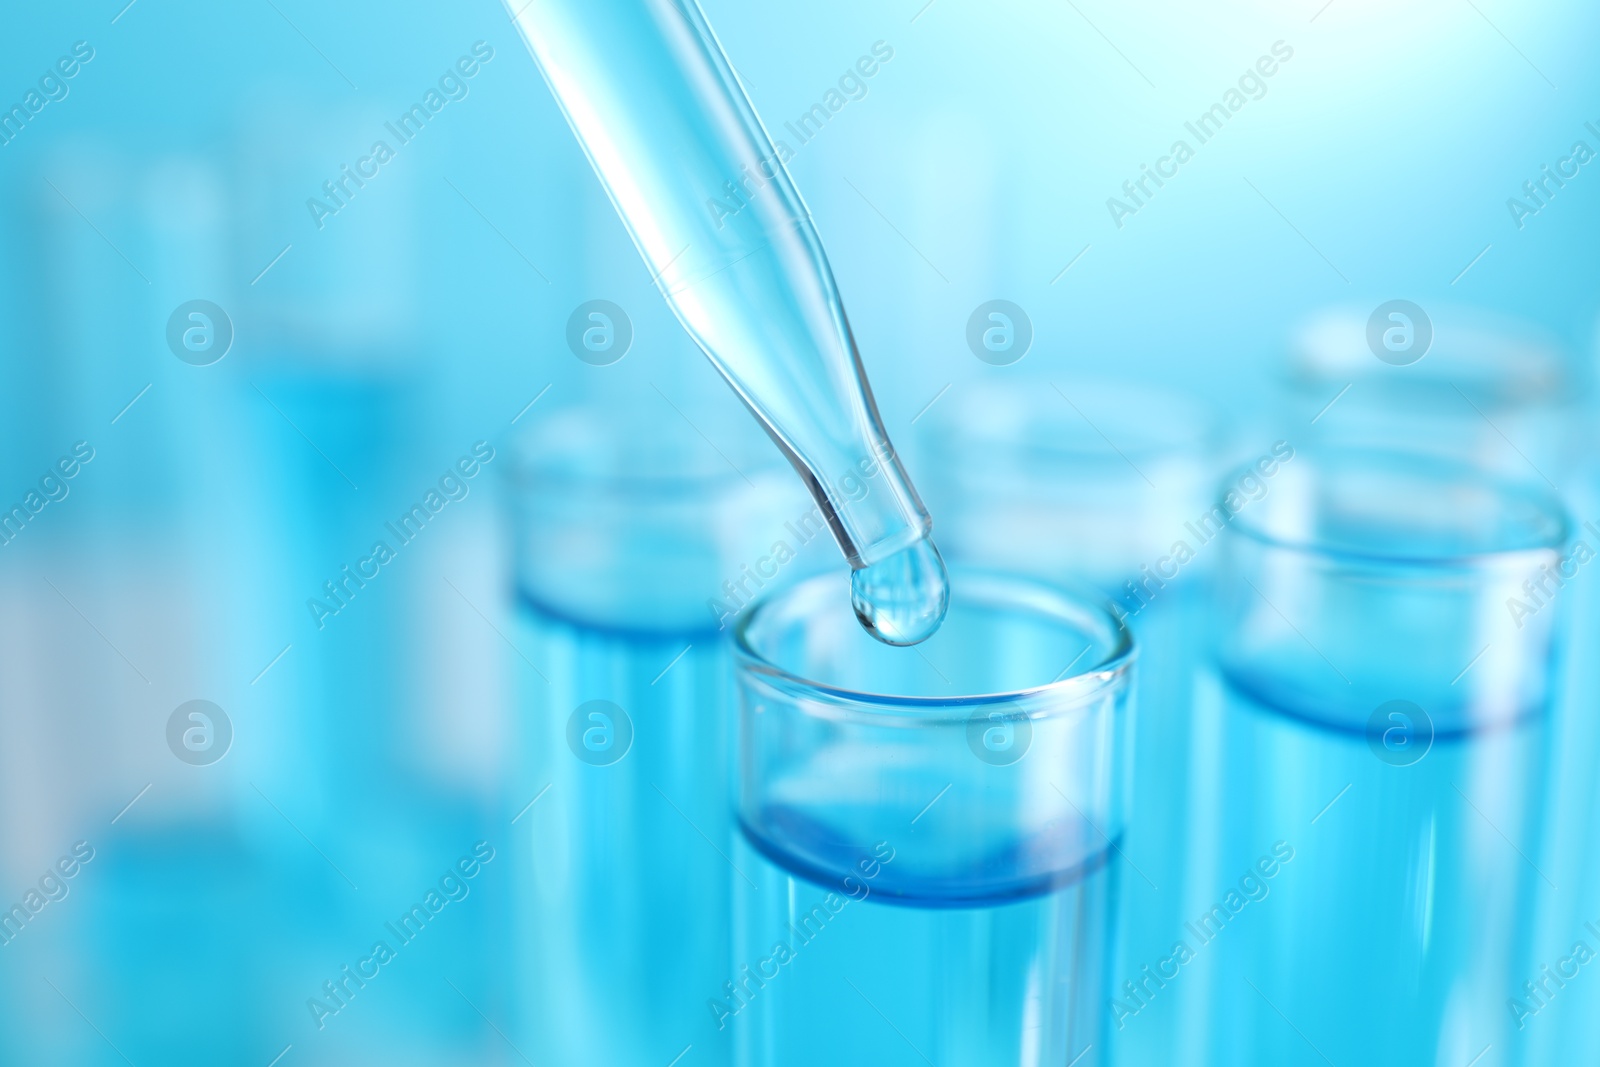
x: 623, y: 882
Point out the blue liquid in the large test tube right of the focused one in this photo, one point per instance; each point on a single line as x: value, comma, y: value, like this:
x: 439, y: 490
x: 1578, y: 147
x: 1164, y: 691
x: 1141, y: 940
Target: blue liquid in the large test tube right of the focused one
x: 1401, y: 927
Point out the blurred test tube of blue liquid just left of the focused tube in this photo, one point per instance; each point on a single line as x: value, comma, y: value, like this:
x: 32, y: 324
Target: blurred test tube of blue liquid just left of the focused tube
x: 622, y: 823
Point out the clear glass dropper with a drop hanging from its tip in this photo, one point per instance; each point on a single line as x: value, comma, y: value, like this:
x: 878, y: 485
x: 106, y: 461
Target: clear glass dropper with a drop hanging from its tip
x: 729, y: 242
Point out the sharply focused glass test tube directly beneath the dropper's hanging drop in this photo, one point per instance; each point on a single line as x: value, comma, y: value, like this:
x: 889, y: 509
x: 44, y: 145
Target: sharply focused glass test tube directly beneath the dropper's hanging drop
x: 929, y: 844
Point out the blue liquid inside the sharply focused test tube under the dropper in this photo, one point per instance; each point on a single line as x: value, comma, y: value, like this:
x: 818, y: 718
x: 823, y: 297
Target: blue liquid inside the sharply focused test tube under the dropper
x: 886, y: 970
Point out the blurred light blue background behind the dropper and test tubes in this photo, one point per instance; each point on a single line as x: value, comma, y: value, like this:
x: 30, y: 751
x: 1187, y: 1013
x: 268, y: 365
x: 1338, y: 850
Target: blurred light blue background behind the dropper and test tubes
x: 375, y: 345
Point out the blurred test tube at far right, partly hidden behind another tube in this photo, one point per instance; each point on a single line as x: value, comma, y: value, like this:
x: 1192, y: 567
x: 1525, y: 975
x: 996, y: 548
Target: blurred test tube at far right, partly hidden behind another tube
x: 1513, y: 398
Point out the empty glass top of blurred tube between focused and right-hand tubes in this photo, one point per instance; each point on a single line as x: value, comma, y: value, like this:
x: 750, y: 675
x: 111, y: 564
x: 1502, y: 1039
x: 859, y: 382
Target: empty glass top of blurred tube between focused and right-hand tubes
x: 1081, y: 482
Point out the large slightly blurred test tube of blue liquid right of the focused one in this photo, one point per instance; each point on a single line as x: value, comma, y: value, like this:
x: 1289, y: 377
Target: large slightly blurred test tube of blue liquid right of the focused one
x: 1385, y: 701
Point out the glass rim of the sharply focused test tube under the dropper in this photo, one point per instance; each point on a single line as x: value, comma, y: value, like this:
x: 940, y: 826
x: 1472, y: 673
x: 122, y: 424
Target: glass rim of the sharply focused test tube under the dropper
x: 1052, y: 700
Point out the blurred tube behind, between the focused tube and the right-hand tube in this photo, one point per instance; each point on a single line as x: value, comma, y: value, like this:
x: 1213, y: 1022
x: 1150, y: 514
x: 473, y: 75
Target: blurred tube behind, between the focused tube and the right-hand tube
x: 1097, y: 482
